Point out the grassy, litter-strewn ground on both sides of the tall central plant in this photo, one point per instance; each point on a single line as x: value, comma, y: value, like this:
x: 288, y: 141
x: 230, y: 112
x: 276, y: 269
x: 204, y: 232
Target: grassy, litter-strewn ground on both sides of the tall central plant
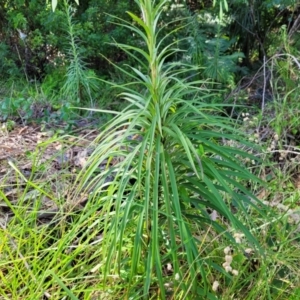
x: 39, y: 211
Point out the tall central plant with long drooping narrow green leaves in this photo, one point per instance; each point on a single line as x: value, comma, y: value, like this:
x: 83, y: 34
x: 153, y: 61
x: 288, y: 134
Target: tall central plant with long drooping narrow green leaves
x: 163, y: 166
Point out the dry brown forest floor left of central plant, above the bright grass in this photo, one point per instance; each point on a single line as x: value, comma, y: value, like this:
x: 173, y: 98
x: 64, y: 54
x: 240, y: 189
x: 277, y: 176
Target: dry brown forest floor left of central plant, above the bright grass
x: 27, y: 151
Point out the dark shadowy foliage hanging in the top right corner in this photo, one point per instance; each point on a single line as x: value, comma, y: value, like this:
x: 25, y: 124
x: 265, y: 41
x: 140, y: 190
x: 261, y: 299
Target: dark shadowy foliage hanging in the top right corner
x: 253, y: 24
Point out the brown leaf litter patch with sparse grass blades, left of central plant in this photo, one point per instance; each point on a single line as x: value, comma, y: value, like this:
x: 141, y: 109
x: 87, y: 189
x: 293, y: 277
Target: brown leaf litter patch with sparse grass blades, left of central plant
x: 29, y: 154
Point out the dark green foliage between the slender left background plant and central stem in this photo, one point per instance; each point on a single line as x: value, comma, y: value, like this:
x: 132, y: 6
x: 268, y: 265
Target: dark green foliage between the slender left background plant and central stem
x: 96, y: 31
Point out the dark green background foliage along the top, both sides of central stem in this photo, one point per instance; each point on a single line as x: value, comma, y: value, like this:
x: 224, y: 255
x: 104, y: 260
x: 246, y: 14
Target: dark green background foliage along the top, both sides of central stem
x: 249, y: 30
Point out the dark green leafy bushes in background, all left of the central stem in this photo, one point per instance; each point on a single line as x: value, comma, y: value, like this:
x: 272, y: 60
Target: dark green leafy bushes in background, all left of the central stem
x: 46, y: 47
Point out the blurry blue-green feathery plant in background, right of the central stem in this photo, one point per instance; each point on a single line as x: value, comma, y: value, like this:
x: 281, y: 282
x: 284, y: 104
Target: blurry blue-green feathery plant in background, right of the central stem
x: 210, y: 48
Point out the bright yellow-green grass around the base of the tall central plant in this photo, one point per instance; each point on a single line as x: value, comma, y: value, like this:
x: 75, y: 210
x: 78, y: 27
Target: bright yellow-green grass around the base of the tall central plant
x: 60, y: 258
